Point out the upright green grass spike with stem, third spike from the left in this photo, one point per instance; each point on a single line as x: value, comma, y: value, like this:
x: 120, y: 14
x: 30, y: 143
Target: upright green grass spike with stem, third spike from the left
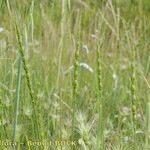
x: 100, y: 135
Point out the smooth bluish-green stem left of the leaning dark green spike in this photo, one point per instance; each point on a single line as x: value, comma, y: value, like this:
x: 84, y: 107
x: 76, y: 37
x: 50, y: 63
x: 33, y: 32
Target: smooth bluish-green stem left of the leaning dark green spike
x: 17, y: 99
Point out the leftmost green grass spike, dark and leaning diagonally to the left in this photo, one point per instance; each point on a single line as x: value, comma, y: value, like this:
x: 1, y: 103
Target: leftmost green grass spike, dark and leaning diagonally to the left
x: 34, y: 115
